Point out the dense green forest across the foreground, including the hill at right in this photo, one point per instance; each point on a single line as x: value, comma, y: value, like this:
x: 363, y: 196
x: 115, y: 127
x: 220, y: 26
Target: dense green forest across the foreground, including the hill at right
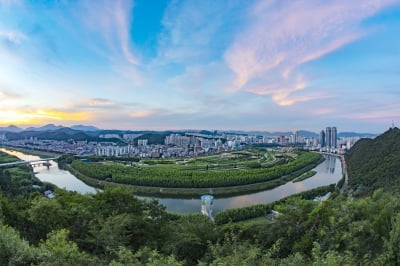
x: 359, y: 226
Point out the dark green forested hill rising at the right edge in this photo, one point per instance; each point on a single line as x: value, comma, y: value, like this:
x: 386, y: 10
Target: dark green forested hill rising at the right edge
x: 375, y: 163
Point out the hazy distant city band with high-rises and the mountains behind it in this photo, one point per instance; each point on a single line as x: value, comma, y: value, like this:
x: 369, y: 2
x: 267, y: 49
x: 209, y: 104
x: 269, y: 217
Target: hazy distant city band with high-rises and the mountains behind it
x: 85, y: 141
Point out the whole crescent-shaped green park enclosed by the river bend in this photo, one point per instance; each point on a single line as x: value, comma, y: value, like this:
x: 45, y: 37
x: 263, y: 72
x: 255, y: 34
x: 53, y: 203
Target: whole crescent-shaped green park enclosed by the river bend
x: 226, y: 173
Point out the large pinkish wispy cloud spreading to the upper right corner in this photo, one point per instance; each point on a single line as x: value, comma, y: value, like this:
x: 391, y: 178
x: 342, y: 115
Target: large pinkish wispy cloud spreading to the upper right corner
x: 282, y: 35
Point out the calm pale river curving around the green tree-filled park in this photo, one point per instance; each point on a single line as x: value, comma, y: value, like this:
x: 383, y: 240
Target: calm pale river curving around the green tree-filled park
x: 328, y: 172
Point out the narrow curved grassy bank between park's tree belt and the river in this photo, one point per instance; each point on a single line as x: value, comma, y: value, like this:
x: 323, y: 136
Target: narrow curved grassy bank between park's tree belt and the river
x: 189, y: 193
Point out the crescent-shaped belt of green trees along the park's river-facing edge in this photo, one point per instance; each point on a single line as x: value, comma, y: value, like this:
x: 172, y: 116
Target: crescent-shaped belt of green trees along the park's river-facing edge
x: 176, y: 176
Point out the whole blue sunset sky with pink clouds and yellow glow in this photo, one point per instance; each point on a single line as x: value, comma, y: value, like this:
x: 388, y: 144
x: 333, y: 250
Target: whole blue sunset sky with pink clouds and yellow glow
x: 201, y: 64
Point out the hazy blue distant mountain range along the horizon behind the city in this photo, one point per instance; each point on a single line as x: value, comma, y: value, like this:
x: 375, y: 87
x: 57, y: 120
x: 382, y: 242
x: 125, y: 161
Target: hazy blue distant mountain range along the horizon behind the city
x: 82, y: 132
